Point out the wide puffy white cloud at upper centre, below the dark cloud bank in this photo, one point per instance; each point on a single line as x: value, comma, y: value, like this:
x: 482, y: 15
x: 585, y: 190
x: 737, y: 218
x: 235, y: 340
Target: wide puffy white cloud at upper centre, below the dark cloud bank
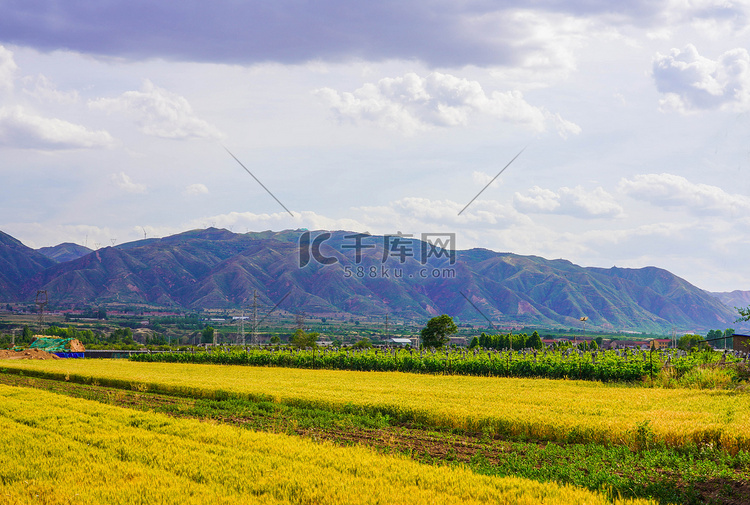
x: 411, y: 103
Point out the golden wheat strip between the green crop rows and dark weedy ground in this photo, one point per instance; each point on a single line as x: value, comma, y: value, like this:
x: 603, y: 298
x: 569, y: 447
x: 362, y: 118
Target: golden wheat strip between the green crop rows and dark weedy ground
x: 547, y: 409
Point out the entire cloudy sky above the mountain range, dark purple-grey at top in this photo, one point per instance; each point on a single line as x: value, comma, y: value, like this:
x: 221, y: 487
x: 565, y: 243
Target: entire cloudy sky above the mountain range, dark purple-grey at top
x: 383, y: 117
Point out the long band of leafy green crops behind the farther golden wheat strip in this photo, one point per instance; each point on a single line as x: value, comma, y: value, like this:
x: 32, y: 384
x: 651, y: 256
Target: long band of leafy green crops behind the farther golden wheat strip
x: 604, y: 366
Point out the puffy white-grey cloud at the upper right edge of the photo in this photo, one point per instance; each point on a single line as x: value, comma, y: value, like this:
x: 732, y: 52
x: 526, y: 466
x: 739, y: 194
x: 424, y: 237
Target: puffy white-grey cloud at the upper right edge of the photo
x: 693, y: 82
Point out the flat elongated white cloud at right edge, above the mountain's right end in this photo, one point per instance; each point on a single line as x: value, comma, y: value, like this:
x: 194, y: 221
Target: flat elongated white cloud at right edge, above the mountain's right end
x: 669, y: 190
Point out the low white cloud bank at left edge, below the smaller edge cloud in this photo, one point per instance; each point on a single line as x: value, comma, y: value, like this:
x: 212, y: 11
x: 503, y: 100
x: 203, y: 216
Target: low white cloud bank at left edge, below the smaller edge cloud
x: 21, y: 129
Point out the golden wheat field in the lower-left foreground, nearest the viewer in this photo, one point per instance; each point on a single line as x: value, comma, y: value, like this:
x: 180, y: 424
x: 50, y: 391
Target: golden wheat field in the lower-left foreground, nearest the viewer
x: 60, y: 450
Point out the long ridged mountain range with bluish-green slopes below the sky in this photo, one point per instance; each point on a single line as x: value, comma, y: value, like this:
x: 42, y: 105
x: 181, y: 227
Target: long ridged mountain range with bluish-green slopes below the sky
x: 343, y: 273
